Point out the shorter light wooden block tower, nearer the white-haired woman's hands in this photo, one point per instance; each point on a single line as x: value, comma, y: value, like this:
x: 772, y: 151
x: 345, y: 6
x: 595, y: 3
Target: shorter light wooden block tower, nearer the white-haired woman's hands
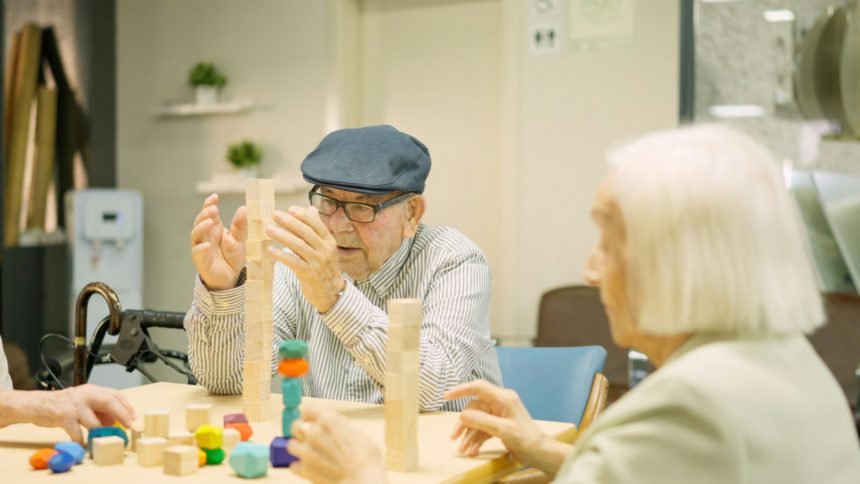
x: 401, y: 385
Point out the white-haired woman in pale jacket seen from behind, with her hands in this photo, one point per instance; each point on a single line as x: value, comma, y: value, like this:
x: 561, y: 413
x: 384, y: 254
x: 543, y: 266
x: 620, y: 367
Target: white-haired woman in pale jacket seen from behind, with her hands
x: 701, y: 266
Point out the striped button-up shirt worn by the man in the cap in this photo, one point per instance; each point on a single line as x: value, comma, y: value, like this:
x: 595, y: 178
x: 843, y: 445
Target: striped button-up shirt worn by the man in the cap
x: 347, y: 345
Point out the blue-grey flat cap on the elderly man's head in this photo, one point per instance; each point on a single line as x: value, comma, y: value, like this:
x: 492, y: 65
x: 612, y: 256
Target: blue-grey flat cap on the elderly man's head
x: 373, y: 160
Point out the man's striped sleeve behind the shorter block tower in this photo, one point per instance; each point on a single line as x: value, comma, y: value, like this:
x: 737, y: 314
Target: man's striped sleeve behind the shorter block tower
x: 454, y: 334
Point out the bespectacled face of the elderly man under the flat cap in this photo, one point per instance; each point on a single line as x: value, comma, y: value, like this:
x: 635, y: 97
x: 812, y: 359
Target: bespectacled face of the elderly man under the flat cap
x: 364, y: 247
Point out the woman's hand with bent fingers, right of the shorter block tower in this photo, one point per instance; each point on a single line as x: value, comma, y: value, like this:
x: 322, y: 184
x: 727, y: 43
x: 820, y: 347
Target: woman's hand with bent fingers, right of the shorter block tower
x: 499, y: 412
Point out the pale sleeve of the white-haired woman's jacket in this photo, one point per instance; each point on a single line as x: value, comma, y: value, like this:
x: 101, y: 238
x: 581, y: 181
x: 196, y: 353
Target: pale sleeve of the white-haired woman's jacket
x: 678, y: 437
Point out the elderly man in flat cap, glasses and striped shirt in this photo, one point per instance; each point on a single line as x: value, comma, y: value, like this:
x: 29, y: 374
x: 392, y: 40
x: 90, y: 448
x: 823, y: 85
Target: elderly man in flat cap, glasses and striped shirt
x: 359, y: 244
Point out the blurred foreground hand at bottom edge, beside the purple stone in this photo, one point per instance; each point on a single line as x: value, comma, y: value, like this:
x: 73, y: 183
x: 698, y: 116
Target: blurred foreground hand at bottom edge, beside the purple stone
x: 331, y: 450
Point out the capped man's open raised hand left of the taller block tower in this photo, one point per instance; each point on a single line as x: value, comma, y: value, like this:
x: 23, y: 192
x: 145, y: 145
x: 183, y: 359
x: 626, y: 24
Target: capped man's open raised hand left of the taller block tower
x: 218, y: 253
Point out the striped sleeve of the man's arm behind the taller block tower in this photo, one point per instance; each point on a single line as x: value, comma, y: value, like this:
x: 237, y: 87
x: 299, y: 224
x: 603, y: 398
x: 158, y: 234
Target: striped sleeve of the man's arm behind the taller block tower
x: 215, y: 326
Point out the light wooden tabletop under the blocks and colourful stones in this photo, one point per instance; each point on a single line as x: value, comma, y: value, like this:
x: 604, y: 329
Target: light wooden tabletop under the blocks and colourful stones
x: 438, y: 458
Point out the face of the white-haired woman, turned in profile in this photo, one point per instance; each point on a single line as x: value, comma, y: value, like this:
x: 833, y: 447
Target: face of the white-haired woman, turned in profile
x: 607, y: 265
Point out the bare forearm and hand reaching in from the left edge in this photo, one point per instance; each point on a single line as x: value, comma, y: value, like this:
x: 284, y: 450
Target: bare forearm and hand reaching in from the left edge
x: 86, y: 405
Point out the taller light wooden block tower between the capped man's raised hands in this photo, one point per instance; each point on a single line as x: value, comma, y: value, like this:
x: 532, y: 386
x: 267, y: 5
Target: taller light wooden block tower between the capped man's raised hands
x: 260, y: 203
